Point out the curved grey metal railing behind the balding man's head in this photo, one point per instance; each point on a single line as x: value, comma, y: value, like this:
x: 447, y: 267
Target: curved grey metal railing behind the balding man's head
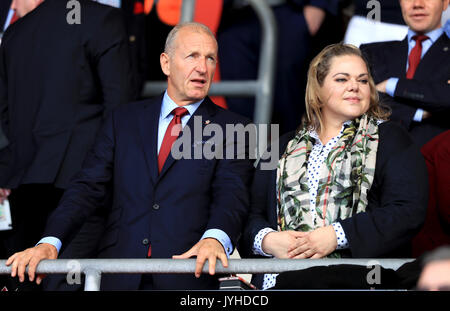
x: 262, y: 87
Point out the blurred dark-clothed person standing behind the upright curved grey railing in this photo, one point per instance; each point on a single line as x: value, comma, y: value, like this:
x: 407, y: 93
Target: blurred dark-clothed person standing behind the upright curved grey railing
x: 239, y: 37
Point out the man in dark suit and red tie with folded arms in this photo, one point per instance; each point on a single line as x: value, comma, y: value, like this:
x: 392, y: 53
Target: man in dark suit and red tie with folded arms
x: 413, y: 76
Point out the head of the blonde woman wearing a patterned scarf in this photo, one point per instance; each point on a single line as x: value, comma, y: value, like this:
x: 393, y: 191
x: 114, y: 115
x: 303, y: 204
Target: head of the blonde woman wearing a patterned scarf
x: 340, y: 88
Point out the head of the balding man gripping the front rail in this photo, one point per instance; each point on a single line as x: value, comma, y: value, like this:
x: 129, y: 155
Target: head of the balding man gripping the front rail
x: 190, y: 68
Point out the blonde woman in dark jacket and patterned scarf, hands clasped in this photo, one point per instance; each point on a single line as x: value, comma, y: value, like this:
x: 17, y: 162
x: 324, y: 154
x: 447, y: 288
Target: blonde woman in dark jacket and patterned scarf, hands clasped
x: 349, y: 183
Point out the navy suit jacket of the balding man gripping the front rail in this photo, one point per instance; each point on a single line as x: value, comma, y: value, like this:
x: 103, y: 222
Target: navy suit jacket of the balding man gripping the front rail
x: 170, y: 211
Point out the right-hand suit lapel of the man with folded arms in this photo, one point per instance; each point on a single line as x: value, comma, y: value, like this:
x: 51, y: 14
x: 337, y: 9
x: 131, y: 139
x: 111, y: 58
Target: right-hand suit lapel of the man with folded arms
x: 435, y: 57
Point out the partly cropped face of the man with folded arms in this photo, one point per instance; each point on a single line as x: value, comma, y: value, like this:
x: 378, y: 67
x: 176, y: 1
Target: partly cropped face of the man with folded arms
x: 423, y: 16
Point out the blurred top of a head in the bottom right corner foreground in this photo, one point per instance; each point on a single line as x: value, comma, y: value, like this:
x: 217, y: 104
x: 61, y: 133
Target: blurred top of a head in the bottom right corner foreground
x: 435, y: 275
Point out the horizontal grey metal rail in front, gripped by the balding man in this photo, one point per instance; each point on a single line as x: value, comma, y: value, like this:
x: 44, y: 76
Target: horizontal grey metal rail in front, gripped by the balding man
x: 94, y: 268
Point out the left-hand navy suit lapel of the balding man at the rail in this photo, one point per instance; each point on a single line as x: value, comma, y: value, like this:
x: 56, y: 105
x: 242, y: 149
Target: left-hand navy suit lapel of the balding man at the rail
x: 148, y: 122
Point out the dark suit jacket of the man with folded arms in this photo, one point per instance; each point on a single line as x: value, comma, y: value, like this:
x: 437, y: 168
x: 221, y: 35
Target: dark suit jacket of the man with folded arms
x: 428, y: 90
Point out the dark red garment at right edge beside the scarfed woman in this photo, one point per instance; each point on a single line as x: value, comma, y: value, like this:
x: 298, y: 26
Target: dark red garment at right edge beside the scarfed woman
x: 436, y: 230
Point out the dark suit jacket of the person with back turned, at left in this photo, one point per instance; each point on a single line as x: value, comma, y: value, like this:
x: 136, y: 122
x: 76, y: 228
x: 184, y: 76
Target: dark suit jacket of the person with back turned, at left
x: 57, y: 81
